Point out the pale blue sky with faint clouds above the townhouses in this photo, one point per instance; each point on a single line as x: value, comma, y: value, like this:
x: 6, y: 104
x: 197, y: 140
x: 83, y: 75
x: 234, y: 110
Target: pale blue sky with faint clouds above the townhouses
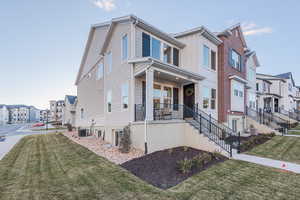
x: 42, y: 42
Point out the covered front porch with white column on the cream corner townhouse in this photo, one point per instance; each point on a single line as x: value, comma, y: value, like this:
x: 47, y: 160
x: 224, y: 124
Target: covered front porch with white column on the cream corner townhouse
x: 163, y: 91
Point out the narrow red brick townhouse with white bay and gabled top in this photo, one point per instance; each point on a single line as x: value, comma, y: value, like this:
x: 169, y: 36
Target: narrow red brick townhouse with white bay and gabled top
x: 232, y: 78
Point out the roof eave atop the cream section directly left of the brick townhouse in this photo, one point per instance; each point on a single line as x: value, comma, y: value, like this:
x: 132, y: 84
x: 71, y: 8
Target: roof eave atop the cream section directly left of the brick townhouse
x: 203, y: 31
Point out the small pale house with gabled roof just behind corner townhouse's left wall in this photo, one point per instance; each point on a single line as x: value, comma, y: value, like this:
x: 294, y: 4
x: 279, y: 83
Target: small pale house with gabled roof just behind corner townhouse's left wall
x: 69, y: 110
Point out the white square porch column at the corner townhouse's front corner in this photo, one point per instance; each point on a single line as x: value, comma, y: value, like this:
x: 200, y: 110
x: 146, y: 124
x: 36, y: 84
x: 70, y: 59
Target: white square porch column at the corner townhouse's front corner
x: 149, y: 94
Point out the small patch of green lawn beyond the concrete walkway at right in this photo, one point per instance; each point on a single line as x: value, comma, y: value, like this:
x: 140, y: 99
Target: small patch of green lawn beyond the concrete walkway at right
x: 279, y: 148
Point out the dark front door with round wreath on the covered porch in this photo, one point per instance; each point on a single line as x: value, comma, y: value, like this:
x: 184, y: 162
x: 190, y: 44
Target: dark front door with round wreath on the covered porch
x: 189, y: 99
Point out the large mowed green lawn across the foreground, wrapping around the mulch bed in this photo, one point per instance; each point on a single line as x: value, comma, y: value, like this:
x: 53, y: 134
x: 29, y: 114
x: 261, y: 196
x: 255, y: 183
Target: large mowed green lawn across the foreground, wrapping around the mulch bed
x: 51, y: 167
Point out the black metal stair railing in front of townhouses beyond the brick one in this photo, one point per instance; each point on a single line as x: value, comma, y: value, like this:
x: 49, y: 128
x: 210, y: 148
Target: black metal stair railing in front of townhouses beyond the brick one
x: 269, y: 119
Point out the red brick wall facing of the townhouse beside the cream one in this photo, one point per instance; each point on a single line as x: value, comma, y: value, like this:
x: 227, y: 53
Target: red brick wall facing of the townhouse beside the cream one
x: 225, y: 71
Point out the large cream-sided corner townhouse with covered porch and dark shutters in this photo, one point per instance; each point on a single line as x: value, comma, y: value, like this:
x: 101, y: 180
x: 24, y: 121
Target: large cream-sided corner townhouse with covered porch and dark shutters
x: 133, y: 73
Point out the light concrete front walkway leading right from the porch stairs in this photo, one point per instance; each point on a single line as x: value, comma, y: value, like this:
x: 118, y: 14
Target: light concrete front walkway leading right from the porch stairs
x: 283, y: 165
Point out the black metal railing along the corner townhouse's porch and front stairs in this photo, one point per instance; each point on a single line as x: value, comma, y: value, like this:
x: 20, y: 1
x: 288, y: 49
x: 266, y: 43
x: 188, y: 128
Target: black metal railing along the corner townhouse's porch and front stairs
x: 218, y: 133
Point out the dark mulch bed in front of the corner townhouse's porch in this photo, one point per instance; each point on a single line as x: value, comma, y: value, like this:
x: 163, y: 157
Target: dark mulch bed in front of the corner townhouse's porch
x: 160, y: 168
